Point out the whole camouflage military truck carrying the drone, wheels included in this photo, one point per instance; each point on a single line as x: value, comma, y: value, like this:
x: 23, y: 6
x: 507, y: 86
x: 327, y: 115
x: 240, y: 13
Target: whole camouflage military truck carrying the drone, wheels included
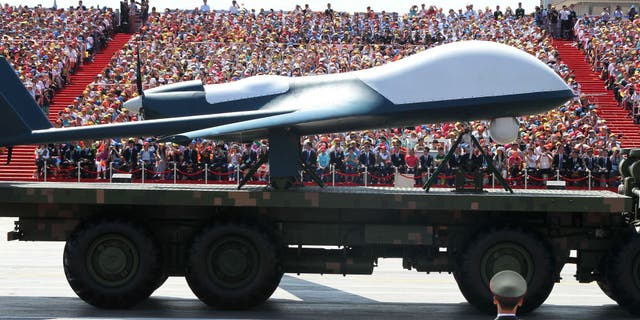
x: 233, y: 246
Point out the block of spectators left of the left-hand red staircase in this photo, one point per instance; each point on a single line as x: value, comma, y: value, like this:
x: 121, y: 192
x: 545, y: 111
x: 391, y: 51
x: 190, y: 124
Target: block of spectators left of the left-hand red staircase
x: 45, y: 46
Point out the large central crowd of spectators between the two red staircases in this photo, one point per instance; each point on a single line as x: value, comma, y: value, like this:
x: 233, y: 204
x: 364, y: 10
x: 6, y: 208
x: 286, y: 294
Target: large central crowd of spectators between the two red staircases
x: 222, y: 46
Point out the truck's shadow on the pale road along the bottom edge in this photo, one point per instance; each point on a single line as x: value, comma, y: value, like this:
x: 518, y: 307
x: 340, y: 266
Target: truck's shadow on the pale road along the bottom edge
x: 318, y: 302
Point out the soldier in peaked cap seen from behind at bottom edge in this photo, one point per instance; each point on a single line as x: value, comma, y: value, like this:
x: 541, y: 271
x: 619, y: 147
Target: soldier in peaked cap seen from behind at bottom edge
x: 508, y: 289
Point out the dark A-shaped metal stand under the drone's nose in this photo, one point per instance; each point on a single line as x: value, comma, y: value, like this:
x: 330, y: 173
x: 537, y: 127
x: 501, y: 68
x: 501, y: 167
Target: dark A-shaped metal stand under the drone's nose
x: 464, y: 170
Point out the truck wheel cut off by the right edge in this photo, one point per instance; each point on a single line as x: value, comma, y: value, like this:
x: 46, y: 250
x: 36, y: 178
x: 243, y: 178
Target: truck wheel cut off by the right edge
x: 623, y: 275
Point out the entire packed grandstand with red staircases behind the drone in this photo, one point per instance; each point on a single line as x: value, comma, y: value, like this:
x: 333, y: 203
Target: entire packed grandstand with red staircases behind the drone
x: 81, y: 75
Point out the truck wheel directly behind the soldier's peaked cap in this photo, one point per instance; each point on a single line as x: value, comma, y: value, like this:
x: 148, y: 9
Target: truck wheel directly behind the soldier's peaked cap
x: 505, y: 249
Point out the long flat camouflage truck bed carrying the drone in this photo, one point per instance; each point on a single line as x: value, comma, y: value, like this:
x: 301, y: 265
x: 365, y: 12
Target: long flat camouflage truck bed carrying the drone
x: 532, y: 200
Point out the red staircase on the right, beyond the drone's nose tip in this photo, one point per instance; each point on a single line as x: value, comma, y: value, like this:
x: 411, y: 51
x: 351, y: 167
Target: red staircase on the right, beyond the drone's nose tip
x: 617, y: 118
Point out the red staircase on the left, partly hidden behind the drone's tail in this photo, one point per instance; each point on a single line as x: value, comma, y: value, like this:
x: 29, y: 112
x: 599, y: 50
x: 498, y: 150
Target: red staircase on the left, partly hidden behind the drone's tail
x: 22, y: 164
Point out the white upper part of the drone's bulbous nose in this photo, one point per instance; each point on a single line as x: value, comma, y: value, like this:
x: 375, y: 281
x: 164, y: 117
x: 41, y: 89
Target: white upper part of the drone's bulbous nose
x: 469, y: 70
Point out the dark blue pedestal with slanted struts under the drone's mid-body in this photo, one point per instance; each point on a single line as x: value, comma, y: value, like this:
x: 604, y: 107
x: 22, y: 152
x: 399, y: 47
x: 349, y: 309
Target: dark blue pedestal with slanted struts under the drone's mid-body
x: 284, y: 161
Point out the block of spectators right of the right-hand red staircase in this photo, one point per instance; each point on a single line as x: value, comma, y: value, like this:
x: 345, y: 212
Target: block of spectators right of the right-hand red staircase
x: 611, y: 44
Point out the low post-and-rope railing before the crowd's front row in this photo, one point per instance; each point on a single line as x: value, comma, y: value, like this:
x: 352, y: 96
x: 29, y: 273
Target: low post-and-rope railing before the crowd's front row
x: 350, y: 176
